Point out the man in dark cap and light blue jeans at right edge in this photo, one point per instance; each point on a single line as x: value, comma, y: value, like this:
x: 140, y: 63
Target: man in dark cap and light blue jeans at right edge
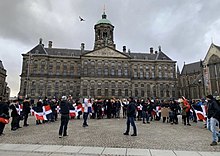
x: 213, y: 115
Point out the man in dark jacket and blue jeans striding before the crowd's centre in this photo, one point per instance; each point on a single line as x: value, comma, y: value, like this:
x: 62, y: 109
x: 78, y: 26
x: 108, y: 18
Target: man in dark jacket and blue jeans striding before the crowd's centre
x: 131, y: 113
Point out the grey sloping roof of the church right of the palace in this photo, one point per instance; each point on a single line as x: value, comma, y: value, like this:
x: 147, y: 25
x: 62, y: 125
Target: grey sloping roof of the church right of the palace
x: 191, y: 68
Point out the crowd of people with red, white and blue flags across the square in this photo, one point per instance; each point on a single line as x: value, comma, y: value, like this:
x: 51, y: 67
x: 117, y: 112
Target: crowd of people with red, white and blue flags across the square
x: 47, y: 110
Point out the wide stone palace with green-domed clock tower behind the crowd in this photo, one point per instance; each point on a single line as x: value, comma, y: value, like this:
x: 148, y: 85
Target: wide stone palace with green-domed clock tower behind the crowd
x: 103, y: 72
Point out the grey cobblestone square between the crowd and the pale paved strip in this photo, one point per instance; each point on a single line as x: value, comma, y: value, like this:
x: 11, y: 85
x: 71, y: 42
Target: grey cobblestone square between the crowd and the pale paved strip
x: 109, y: 133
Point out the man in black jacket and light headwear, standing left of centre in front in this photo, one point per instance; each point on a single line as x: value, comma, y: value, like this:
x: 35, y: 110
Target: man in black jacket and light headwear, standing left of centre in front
x: 64, y: 111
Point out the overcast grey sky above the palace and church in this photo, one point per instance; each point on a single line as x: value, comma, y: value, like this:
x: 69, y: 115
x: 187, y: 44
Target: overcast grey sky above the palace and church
x: 183, y: 28
